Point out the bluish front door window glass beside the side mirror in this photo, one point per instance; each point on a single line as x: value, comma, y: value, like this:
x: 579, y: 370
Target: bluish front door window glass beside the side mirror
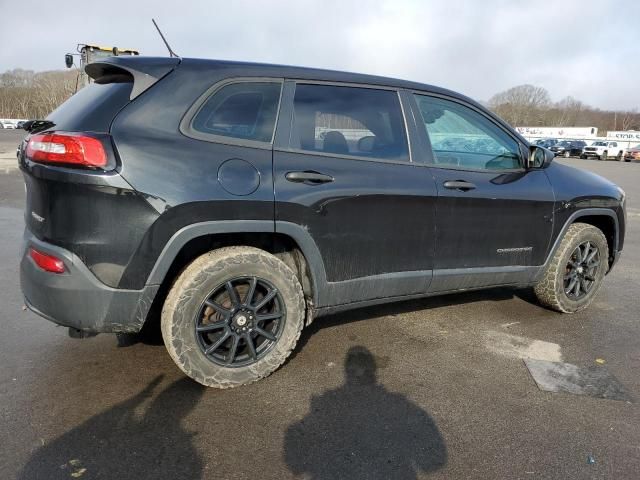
x: 462, y: 137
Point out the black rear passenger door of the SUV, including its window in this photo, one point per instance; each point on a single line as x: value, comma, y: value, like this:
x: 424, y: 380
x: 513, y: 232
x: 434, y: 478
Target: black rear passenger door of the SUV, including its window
x: 343, y: 172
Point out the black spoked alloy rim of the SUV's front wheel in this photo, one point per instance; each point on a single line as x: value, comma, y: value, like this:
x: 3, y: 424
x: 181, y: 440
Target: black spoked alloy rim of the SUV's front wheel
x: 581, y: 270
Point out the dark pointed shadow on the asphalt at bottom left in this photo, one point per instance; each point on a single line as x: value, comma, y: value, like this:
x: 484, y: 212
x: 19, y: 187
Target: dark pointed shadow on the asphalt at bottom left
x: 120, y: 444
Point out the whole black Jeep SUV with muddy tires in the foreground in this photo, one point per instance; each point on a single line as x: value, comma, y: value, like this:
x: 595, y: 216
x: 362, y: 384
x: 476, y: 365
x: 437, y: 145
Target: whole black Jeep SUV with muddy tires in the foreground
x: 241, y: 201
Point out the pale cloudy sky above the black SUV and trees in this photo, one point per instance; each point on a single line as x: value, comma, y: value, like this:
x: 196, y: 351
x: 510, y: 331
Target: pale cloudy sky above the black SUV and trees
x: 589, y: 49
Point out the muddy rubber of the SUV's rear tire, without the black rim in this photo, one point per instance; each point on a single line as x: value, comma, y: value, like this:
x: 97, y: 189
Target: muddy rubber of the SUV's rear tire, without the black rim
x: 181, y: 297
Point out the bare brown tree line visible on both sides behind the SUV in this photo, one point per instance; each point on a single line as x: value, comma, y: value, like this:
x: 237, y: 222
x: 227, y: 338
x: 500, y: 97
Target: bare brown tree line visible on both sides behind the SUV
x: 31, y: 95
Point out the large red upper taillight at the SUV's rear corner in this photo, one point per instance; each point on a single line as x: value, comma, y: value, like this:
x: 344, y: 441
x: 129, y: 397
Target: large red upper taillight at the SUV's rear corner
x: 67, y: 148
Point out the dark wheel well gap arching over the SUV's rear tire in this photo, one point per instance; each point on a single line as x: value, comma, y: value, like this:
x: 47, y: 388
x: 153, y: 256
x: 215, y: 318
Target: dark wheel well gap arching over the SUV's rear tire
x: 279, y: 245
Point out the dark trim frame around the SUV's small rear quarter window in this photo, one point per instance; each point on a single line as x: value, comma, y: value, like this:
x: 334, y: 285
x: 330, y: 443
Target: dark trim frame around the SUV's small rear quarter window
x: 186, y: 123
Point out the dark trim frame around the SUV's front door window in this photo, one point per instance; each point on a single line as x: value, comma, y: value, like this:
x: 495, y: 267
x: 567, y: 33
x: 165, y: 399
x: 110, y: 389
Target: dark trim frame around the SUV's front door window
x: 422, y: 130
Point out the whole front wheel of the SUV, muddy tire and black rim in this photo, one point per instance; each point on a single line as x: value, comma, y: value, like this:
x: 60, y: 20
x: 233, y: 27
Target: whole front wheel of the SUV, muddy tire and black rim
x: 555, y: 289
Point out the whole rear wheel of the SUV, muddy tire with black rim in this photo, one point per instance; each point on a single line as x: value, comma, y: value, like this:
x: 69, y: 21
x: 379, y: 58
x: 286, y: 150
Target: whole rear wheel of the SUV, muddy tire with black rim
x: 233, y: 316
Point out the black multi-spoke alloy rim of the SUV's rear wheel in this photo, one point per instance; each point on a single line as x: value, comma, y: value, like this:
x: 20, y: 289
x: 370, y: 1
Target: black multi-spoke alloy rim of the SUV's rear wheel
x: 240, y: 321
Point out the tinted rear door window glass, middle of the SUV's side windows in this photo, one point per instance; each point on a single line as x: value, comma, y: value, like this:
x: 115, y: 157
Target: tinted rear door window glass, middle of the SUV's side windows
x: 362, y: 122
